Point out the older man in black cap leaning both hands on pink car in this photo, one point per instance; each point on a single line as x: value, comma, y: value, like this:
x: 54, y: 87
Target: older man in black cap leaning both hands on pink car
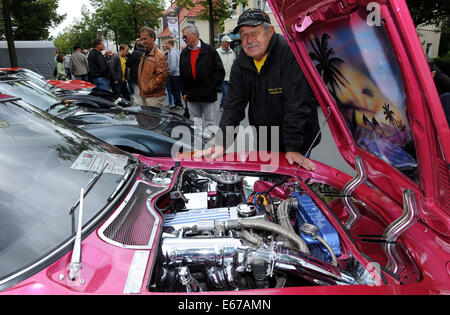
x: 269, y: 79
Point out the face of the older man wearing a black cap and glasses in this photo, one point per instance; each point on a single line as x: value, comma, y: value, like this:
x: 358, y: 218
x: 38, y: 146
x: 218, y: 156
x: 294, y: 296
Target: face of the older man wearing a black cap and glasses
x: 255, y: 40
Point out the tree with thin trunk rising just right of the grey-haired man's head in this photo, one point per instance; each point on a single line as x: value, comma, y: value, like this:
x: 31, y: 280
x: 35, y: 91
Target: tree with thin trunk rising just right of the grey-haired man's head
x: 215, y: 11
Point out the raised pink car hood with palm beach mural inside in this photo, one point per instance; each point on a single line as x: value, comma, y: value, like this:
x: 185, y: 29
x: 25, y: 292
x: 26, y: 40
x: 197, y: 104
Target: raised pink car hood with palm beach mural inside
x: 366, y: 66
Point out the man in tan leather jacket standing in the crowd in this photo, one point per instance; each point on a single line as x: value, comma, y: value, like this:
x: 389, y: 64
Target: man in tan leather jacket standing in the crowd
x: 153, y: 69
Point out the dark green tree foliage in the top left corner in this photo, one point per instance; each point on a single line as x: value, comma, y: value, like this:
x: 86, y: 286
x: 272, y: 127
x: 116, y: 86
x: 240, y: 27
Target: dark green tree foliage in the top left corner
x: 33, y: 18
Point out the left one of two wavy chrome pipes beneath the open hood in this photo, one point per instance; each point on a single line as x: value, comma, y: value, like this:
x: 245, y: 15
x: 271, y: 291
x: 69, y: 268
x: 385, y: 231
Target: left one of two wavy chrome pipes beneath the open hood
x: 349, y: 188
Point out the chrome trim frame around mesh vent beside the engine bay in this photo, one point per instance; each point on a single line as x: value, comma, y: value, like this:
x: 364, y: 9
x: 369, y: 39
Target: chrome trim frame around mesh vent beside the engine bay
x: 158, y: 190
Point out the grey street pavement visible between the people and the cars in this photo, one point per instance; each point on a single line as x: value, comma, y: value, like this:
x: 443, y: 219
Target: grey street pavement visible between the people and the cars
x: 326, y: 152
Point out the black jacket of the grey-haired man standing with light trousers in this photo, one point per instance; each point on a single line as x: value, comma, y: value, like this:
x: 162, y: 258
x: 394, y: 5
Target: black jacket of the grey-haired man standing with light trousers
x: 209, y: 74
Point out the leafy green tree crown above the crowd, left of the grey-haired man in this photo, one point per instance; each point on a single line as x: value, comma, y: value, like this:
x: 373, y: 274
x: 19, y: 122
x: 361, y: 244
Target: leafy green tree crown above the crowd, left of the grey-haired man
x: 124, y: 18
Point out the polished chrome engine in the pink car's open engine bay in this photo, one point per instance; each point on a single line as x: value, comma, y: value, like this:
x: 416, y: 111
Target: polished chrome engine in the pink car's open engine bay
x: 212, y: 245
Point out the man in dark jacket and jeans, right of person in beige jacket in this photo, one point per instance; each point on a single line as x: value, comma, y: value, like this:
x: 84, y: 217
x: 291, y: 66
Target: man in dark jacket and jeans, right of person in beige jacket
x: 98, y: 68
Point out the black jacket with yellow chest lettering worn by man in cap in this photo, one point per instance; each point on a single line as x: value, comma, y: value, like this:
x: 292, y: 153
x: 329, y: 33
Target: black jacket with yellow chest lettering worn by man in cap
x: 278, y: 96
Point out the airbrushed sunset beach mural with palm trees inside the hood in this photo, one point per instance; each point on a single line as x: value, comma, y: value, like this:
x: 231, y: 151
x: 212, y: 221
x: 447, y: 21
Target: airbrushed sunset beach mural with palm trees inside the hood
x: 364, y: 79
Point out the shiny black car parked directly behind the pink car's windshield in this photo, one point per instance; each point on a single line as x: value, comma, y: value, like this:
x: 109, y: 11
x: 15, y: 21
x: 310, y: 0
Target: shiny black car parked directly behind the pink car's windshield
x: 145, y: 131
